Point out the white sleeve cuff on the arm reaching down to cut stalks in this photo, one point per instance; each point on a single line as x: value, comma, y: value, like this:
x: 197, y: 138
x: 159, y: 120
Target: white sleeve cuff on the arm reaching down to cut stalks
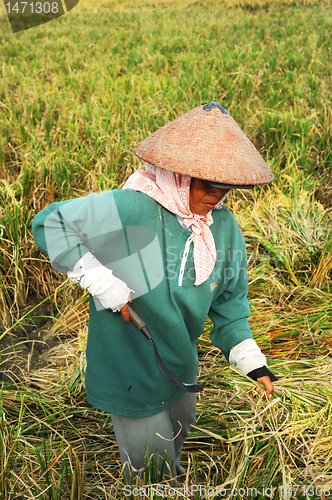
x: 247, y: 356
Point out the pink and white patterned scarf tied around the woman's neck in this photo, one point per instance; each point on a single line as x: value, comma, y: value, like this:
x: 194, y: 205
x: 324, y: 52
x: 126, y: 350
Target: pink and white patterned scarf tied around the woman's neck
x: 172, y: 192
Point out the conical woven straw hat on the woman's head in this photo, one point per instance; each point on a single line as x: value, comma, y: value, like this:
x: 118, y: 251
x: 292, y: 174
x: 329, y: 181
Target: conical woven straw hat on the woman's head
x: 206, y: 143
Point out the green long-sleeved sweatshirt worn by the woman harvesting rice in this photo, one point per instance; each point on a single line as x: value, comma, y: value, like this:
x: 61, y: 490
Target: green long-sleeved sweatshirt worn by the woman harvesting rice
x: 143, y: 244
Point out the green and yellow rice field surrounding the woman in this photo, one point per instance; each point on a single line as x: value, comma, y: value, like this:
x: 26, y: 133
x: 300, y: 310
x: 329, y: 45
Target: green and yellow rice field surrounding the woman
x: 76, y: 95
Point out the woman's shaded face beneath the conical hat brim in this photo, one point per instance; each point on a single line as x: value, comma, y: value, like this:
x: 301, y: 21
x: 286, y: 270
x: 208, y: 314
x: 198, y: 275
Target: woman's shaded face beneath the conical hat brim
x: 203, y: 197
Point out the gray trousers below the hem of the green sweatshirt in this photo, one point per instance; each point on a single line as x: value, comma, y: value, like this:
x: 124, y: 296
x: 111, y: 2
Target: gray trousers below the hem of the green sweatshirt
x: 163, y: 432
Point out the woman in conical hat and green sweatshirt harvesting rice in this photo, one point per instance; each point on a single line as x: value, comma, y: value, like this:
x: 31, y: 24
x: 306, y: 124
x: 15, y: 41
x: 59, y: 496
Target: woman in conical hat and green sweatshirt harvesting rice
x: 166, y: 241
